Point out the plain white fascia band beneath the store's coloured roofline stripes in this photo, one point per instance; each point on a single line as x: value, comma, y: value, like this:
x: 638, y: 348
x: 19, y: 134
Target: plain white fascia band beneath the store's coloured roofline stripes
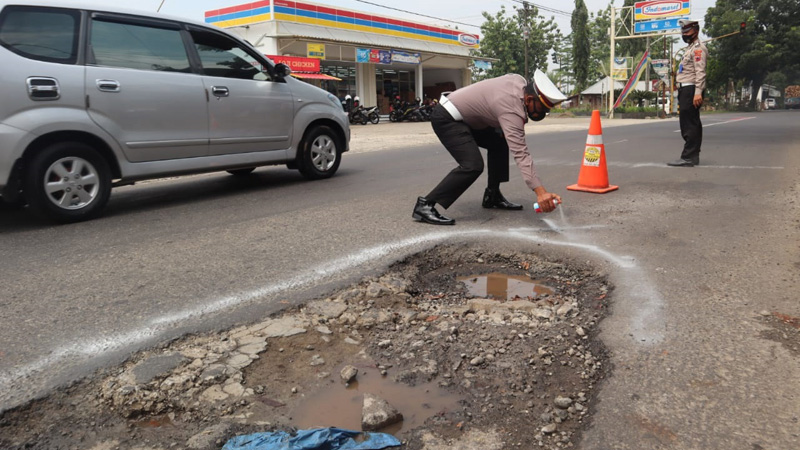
x: 300, y: 30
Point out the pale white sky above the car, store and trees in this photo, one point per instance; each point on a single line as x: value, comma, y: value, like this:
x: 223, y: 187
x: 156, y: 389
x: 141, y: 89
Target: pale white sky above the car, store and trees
x: 464, y: 11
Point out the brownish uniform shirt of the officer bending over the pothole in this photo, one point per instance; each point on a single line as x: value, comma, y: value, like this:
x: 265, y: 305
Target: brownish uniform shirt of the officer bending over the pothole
x: 498, y: 103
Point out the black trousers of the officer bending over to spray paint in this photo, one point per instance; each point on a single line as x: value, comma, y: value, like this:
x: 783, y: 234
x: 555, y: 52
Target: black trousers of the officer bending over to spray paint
x: 463, y: 144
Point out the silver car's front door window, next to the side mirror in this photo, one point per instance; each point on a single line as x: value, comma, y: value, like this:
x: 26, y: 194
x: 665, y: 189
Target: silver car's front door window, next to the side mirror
x: 224, y: 57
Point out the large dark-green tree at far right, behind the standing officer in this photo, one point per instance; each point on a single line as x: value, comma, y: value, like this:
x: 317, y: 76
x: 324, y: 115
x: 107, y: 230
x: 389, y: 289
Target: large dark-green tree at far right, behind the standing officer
x: 768, y: 50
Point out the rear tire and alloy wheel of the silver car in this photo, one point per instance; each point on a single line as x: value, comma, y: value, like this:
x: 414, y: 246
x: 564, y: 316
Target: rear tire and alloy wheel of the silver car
x: 67, y: 182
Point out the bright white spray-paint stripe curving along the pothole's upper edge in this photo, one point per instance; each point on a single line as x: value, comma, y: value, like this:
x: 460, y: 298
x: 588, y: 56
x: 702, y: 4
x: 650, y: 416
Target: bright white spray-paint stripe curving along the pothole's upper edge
x: 97, y: 347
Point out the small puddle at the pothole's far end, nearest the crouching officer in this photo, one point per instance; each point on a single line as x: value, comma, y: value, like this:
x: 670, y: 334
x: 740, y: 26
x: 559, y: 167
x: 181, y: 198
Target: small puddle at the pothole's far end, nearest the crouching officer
x: 501, y: 286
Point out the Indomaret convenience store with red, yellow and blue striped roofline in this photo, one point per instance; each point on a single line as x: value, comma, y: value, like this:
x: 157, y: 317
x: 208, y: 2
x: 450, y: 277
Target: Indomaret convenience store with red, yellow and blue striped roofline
x: 348, y: 52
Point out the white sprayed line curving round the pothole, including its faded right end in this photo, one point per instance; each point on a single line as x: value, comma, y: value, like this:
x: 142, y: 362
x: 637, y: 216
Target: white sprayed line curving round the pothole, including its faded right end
x: 638, y: 288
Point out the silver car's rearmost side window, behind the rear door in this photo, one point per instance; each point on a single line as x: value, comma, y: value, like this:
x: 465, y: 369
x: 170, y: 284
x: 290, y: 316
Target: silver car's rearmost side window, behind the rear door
x: 45, y: 34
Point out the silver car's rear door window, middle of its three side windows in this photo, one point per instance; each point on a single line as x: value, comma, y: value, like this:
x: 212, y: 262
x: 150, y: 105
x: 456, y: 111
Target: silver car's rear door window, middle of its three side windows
x: 138, y: 46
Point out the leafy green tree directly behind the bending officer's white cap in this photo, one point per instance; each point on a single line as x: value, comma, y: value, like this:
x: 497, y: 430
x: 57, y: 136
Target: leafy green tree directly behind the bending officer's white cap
x: 503, y: 39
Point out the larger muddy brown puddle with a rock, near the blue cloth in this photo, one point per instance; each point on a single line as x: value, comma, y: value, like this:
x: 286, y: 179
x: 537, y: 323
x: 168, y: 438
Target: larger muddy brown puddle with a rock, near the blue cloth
x: 337, y: 406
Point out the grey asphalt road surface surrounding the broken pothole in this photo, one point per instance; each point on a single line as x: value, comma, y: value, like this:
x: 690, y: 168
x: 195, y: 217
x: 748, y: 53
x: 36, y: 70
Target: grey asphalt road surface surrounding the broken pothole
x: 694, y: 253
